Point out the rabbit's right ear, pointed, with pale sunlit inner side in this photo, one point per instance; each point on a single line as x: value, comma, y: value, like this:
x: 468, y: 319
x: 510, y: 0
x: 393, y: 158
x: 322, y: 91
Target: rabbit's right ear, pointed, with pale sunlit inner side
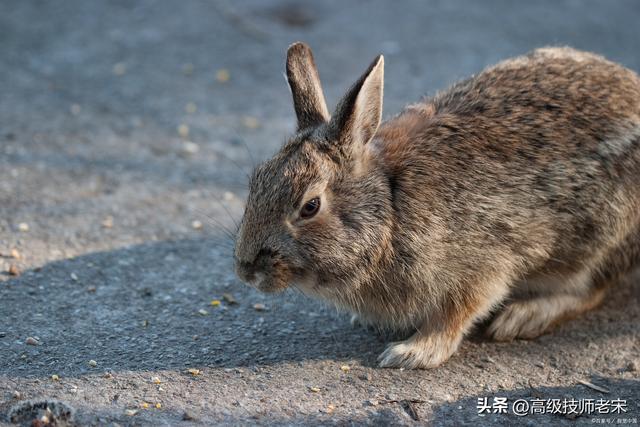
x: 358, y: 114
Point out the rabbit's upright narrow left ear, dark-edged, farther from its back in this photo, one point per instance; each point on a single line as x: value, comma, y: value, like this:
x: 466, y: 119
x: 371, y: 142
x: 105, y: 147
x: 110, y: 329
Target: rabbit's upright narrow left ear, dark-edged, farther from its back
x: 303, y: 79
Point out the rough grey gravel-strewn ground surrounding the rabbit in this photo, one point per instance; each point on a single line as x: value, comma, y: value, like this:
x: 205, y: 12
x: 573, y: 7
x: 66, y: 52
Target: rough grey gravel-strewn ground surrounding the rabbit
x: 127, y: 129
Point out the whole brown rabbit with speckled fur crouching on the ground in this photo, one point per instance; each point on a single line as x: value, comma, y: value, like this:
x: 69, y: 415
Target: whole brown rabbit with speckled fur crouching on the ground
x: 517, y: 188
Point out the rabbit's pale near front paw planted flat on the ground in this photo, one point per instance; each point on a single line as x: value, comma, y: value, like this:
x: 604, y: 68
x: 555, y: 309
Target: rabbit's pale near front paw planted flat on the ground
x: 419, y: 352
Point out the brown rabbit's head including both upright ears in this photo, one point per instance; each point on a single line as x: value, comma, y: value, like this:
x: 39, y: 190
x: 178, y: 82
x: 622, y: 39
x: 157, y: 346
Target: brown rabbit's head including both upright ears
x: 318, y: 214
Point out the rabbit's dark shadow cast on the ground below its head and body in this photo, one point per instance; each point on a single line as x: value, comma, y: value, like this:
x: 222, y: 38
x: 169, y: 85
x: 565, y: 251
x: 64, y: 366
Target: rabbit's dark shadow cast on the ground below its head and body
x: 150, y: 307
